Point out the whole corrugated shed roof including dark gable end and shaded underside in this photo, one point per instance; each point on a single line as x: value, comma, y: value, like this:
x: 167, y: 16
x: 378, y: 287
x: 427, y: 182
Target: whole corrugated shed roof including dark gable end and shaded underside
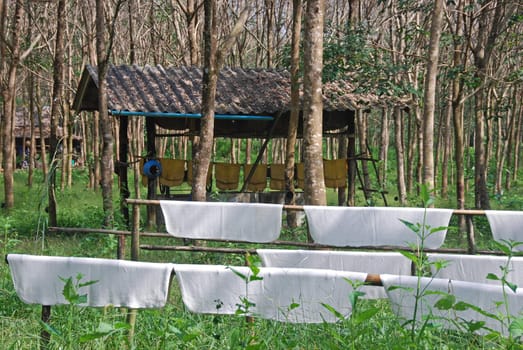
x: 239, y: 91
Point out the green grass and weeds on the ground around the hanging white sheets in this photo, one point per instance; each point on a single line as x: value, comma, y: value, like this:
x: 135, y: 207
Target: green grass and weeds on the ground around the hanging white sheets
x: 21, y: 231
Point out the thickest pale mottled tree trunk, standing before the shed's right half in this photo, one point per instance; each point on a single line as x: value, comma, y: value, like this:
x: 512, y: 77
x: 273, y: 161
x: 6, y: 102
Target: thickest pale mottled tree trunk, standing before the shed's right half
x: 315, y: 193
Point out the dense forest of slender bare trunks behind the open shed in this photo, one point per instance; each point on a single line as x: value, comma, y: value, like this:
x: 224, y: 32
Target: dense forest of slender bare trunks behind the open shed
x: 466, y: 53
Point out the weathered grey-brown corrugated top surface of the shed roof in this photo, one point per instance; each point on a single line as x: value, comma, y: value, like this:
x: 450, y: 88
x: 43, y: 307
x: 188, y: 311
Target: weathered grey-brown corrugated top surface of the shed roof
x: 239, y: 91
